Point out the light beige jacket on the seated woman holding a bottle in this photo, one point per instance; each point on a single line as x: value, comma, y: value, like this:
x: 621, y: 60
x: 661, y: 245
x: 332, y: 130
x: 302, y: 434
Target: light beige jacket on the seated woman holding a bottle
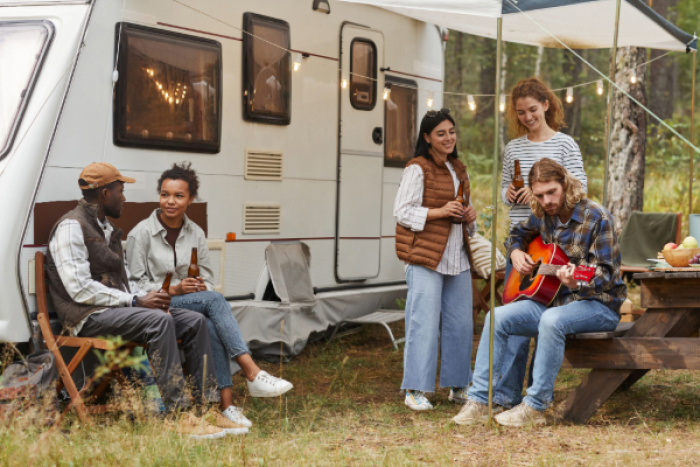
x: 150, y: 257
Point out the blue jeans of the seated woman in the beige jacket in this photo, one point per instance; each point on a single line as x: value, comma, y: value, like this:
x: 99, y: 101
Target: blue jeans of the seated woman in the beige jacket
x: 225, y: 335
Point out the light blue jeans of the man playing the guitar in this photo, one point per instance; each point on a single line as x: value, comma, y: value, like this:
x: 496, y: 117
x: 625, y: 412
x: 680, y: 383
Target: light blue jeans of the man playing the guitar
x: 550, y: 326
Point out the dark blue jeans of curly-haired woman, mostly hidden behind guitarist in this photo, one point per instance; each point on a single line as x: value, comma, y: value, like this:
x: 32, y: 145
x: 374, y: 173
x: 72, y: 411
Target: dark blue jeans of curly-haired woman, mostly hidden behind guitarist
x: 510, y: 375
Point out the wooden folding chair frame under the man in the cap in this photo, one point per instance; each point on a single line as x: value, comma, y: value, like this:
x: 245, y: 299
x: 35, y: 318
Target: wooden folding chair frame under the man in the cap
x: 83, y: 344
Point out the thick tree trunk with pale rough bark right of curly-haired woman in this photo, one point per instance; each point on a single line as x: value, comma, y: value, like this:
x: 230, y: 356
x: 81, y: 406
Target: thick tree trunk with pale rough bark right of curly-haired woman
x: 628, y: 139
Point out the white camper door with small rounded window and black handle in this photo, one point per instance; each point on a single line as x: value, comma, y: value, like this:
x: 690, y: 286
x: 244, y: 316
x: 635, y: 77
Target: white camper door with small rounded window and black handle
x: 361, y: 158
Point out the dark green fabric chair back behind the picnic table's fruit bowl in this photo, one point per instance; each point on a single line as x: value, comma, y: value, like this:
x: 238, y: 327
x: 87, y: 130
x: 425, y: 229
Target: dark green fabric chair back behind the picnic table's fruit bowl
x: 644, y: 235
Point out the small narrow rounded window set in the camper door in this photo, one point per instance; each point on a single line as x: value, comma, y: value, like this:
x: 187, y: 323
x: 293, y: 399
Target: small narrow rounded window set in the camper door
x: 363, y: 74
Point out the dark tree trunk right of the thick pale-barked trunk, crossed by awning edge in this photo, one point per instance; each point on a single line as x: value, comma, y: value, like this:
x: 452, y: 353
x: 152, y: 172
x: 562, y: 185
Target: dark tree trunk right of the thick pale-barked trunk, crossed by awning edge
x: 663, y: 77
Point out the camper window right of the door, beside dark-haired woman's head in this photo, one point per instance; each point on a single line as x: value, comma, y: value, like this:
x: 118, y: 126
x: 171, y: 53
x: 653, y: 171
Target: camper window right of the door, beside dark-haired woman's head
x: 400, y: 110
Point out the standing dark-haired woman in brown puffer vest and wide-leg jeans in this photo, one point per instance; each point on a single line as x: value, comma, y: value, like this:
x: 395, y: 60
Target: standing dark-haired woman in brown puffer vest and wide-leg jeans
x: 436, y: 251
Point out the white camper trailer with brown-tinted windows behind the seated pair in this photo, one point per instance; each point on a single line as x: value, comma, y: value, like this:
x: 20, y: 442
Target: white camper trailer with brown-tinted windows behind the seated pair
x: 295, y: 113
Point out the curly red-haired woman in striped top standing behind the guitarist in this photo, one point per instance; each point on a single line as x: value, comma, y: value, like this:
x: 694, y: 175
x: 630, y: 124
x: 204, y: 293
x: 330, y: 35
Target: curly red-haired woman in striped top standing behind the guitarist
x: 535, y: 116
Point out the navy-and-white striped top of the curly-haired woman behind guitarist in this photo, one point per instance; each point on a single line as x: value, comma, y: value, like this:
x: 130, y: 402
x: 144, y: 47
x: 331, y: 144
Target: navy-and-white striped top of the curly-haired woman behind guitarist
x: 560, y: 148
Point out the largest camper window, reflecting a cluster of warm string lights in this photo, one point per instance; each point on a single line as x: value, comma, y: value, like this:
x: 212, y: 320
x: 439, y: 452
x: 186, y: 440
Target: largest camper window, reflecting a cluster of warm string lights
x: 169, y: 90
